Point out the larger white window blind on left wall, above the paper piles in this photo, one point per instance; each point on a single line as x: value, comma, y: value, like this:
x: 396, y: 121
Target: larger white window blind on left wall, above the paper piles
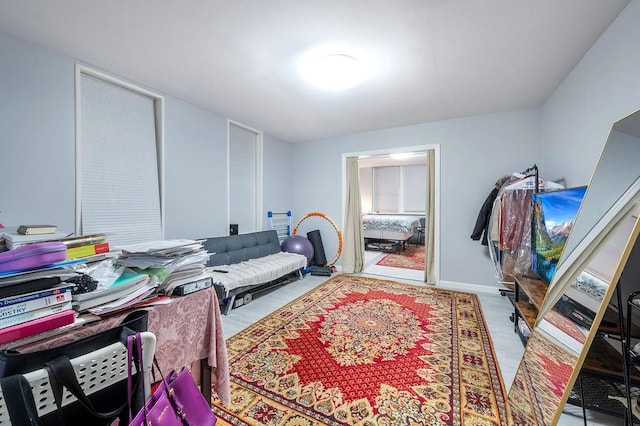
x: 119, y: 179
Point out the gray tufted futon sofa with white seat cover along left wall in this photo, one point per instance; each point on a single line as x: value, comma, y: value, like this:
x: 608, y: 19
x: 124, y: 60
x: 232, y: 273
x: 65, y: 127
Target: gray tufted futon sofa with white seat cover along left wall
x: 252, y: 262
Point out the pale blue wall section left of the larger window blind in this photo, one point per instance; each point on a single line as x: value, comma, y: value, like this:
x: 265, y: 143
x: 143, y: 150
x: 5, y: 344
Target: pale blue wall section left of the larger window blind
x: 37, y: 151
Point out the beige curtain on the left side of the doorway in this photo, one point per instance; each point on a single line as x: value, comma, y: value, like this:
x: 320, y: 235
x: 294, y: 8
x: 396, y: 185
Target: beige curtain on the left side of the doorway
x: 353, y: 251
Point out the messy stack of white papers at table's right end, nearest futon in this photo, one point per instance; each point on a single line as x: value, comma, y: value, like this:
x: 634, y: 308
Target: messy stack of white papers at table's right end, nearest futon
x: 171, y: 262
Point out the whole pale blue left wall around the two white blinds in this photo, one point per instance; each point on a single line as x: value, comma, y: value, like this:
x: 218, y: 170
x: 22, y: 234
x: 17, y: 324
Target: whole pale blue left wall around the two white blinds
x: 37, y: 151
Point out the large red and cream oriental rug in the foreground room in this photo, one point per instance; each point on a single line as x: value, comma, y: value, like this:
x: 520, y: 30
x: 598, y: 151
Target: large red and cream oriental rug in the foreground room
x: 358, y: 350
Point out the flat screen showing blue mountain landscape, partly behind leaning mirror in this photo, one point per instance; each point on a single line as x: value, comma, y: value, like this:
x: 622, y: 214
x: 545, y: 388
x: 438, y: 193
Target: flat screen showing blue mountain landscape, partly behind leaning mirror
x: 553, y: 215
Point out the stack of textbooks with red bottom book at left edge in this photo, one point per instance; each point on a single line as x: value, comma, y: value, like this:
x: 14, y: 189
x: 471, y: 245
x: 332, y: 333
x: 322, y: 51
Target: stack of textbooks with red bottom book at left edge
x: 27, y: 314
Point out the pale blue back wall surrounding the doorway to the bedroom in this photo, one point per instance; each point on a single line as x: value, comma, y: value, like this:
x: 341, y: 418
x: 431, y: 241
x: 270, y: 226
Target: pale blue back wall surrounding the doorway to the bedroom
x: 475, y: 152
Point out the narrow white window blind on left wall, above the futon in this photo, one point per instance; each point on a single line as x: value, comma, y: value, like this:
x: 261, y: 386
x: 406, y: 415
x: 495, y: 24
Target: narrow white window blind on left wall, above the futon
x: 243, y: 158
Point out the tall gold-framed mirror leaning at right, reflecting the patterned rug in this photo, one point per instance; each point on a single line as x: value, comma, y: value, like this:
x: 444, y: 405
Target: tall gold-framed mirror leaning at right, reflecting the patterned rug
x: 575, y: 305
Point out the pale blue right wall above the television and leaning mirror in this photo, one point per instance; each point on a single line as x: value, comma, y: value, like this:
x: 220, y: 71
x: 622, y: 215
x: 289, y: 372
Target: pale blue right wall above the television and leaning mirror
x: 602, y: 88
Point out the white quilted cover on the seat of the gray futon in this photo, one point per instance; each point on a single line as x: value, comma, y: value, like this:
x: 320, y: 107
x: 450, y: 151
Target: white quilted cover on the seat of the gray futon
x: 256, y: 271
